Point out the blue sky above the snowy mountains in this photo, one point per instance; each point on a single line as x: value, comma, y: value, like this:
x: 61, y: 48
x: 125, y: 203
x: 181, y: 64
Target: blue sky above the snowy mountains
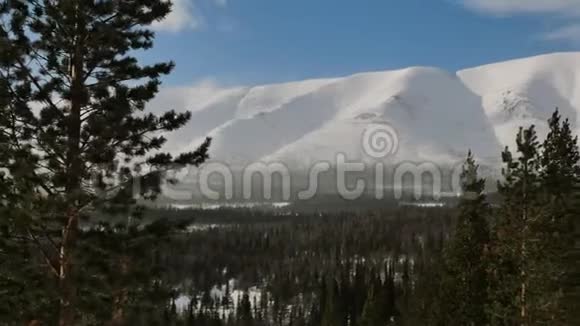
x: 249, y: 42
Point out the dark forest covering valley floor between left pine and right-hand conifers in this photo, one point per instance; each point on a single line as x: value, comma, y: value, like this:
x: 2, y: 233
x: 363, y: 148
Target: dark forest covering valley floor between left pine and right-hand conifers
x: 289, y: 263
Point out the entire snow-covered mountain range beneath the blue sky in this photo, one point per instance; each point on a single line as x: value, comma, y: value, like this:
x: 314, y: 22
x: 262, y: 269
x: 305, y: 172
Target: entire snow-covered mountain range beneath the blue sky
x: 437, y: 115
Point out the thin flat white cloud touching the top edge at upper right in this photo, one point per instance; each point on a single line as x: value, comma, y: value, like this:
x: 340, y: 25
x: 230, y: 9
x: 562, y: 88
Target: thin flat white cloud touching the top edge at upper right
x: 512, y: 7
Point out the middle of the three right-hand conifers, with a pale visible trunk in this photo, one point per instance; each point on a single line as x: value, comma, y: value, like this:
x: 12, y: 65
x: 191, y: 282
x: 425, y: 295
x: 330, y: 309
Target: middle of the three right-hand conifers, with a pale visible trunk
x: 512, y: 239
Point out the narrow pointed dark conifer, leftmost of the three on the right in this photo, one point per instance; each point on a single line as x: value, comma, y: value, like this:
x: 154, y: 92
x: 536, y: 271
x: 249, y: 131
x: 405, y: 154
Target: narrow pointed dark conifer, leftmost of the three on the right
x: 464, y: 272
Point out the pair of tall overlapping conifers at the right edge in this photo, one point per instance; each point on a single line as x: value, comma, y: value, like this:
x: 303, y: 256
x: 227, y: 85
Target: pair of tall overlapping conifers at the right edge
x: 532, y: 239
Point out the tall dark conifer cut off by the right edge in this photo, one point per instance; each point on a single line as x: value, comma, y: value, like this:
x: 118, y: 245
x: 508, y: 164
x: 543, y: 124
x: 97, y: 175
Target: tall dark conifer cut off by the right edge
x: 560, y: 172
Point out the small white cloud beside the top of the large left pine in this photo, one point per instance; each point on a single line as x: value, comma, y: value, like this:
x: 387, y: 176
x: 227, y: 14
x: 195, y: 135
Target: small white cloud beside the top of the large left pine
x: 183, y: 16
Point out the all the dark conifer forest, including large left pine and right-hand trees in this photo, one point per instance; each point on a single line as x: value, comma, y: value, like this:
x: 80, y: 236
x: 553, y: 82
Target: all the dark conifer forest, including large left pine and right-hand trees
x: 84, y: 240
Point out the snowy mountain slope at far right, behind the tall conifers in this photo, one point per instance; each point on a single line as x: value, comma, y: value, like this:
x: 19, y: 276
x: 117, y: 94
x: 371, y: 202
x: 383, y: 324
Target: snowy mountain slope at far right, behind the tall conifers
x: 526, y: 91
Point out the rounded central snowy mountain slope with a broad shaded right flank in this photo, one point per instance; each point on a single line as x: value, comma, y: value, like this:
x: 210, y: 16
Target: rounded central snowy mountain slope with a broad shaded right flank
x: 415, y: 102
